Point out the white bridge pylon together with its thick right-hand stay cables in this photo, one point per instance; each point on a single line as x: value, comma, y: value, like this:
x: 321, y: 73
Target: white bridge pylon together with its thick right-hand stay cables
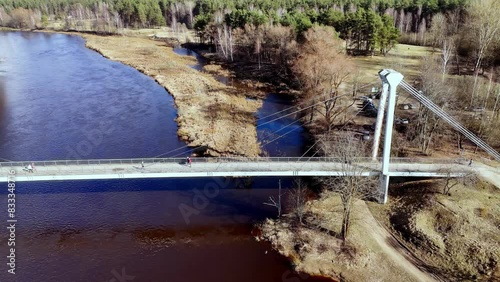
x: 391, y: 79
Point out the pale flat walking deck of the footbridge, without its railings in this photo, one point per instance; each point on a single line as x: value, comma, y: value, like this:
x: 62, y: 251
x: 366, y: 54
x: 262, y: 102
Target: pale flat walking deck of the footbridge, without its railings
x: 89, y: 170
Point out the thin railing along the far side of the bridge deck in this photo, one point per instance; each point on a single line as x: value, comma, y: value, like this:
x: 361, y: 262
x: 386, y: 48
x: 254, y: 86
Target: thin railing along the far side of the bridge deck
x: 138, y: 161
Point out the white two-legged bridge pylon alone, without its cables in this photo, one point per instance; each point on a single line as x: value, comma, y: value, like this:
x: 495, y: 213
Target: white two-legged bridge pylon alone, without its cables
x: 391, y: 78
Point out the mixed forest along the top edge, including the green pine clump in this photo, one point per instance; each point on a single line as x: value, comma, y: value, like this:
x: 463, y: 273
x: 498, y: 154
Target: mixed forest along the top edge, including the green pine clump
x: 365, y: 24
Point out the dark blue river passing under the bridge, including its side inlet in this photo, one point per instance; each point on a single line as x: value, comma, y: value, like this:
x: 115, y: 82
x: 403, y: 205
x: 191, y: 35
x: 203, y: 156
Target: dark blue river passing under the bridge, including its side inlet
x: 59, y: 100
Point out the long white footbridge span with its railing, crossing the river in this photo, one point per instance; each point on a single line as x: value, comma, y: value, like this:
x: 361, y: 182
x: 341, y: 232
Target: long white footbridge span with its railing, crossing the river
x: 227, y: 167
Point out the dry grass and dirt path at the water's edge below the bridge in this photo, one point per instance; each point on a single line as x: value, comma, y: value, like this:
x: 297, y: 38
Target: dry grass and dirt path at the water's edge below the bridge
x: 368, y: 254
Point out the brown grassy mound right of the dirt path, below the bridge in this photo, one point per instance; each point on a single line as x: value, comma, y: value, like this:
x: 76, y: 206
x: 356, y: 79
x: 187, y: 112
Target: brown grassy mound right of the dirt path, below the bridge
x: 457, y: 235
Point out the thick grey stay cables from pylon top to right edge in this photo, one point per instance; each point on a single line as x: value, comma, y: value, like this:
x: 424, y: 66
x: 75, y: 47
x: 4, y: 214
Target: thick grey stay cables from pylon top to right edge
x: 450, y: 120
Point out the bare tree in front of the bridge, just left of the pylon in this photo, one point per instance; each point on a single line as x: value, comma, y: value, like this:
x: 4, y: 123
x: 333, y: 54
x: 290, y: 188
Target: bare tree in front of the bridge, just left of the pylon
x: 352, y: 185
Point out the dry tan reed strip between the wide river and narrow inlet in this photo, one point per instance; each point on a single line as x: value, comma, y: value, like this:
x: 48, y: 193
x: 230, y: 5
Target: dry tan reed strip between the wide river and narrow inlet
x: 209, y: 113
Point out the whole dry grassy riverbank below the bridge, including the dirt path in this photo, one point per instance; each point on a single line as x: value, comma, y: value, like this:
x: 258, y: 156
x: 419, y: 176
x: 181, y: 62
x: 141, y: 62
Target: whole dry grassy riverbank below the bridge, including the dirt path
x: 421, y: 234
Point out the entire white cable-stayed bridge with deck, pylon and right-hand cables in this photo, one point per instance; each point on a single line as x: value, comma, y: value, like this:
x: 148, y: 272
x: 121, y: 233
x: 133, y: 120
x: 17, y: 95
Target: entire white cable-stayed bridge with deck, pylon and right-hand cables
x: 384, y: 167
